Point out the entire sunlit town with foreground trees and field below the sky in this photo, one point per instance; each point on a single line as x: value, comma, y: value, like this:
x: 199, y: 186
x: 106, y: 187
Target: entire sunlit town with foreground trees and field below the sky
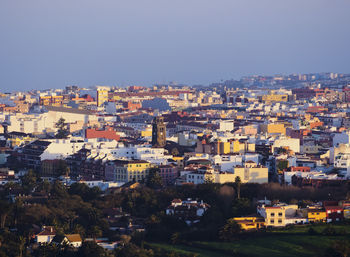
x: 253, y: 167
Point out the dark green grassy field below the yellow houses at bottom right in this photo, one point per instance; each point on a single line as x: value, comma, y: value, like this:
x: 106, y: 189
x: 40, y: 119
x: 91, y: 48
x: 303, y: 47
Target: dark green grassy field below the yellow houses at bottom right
x: 269, y: 245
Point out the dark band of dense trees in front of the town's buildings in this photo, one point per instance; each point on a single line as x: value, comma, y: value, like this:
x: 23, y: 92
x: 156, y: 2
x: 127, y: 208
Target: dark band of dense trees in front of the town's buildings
x: 79, y: 209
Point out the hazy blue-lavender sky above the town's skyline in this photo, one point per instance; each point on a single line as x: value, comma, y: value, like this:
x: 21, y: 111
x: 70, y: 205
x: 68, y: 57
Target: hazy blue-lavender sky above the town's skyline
x: 51, y: 44
